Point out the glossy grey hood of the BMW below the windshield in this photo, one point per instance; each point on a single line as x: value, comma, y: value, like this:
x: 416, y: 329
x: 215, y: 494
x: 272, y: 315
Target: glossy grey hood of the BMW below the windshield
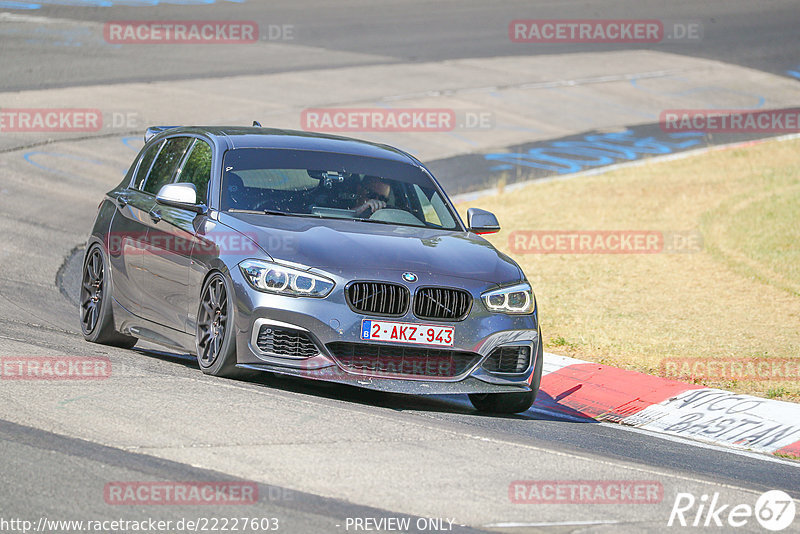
x: 353, y: 249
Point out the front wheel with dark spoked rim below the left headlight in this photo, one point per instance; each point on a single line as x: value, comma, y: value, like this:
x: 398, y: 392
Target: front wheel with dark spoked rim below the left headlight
x: 215, y: 337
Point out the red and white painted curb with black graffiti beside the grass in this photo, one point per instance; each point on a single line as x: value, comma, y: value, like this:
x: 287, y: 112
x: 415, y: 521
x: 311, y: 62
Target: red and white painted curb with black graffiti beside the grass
x: 580, y: 389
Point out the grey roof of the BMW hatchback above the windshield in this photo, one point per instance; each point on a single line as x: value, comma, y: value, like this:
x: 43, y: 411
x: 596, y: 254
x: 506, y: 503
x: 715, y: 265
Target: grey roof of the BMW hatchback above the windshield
x: 257, y: 137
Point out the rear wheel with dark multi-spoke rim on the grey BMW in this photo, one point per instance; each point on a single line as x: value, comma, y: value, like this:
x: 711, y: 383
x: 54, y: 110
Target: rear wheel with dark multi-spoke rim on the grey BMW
x: 97, y: 320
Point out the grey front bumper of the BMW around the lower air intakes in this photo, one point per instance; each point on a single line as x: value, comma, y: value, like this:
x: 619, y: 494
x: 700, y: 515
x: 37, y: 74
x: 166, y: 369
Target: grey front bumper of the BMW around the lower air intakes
x: 330, y: 320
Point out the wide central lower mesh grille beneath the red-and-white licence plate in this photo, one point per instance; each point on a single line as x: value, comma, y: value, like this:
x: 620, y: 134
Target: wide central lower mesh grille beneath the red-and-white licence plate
x: 404, y: 361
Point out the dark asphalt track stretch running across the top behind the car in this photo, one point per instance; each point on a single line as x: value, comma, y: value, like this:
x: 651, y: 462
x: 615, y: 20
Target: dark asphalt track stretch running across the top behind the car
x: 758, y: 35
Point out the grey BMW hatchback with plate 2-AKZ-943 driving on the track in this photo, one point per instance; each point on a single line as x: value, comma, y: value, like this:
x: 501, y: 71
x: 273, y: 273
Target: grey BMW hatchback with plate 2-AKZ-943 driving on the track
x: 310, y: 255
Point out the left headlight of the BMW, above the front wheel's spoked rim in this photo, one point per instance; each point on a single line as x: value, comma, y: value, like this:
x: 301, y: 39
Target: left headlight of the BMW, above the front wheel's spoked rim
x: 283, y: 280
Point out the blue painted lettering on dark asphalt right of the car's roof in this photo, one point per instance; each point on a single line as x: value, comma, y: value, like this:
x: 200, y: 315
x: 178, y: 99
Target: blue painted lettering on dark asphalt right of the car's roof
x: 595, y: 150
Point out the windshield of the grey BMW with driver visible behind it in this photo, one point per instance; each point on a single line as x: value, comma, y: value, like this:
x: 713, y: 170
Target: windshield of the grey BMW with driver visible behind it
x: 329, y: 185
